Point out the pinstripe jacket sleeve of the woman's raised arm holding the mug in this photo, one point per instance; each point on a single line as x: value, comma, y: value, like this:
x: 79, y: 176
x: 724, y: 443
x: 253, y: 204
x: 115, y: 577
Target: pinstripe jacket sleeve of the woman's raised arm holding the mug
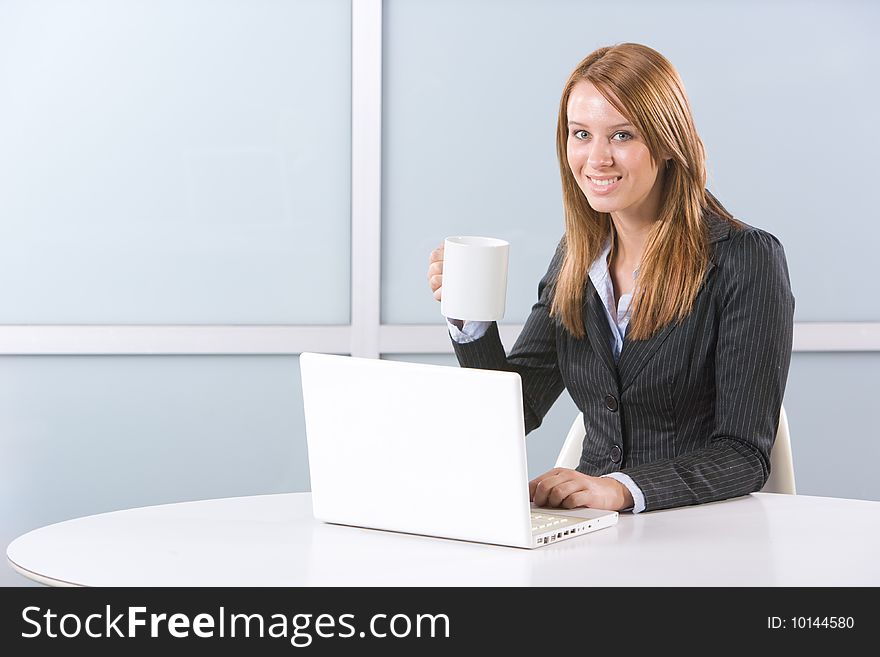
x: 533, y: 357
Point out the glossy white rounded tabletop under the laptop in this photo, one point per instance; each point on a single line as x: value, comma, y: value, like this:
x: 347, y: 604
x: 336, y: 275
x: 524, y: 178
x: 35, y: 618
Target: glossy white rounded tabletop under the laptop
x: 759, y: 540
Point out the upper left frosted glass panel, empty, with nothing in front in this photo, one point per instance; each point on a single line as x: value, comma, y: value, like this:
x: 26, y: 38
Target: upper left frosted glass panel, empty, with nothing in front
x: 175, y: 162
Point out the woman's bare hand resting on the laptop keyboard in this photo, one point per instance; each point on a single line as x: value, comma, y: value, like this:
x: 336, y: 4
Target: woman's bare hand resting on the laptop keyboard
x: 568, y: 489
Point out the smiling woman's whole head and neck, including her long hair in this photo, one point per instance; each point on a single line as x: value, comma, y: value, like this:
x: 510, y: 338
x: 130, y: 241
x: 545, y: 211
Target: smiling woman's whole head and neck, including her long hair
x: 624, y: 117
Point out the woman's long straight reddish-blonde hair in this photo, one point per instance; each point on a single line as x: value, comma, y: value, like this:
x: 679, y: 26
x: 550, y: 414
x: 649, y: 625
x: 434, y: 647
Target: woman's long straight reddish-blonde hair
x: 645, y: 88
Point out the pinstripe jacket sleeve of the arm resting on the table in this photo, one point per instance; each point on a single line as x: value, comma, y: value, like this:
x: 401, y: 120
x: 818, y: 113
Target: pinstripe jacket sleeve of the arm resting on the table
x: 753, y: 352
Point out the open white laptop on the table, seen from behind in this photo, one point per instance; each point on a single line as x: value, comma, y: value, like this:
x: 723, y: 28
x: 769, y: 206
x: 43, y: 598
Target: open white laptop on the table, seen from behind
x: 426, y: 449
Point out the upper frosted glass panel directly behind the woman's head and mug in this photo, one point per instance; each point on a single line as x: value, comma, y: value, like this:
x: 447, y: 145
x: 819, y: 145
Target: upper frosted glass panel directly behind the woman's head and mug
x: 779, y: 91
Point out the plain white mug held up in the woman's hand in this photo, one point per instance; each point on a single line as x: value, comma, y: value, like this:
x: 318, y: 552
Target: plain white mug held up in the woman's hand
x: 474, y: 278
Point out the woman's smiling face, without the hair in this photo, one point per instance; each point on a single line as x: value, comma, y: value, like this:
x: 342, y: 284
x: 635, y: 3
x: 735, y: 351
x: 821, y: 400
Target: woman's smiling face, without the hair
x: 609, y: 158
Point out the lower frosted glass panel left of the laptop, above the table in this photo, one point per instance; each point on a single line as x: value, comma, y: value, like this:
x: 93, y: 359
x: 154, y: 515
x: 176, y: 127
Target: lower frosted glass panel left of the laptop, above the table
x: 84, y: 435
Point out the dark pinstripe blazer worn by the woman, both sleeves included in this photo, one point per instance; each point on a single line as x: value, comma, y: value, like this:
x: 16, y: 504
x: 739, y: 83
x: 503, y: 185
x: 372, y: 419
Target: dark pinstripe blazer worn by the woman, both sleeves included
x: 690, y: 414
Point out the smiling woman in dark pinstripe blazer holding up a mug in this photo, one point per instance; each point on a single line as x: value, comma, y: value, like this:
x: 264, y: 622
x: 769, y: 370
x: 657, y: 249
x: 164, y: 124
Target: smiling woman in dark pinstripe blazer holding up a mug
x: 668, y: 321
